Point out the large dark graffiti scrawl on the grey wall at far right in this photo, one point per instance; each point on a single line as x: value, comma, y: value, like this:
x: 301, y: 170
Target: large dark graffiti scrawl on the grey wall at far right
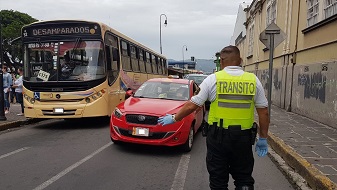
x: 314, y: 85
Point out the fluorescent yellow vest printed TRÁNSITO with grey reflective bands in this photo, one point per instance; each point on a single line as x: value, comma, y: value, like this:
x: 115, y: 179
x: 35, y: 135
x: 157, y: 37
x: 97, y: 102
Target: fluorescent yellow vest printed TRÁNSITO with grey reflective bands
x: 234, y: 101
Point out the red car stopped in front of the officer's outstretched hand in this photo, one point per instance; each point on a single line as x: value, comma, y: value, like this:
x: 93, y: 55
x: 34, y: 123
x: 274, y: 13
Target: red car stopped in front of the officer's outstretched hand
x: 135, y: 119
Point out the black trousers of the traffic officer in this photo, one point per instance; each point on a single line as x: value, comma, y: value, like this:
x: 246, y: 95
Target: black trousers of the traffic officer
x: 229, y: 154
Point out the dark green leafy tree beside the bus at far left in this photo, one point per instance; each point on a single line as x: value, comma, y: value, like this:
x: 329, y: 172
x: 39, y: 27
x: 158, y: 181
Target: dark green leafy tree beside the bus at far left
x: 11, y: 24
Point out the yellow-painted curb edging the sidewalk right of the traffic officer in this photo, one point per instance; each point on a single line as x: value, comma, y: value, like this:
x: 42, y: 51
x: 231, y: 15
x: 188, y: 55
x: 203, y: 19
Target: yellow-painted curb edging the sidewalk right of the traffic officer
x: 310, y: 173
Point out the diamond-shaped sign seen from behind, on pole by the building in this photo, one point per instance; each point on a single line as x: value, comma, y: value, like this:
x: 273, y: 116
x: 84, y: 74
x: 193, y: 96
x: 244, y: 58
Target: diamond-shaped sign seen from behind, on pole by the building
x: 278, y: 38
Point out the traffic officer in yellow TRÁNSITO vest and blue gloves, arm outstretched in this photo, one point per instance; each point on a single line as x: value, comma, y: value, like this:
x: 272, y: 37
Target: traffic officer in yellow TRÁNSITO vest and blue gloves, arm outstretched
x: 233, y: 94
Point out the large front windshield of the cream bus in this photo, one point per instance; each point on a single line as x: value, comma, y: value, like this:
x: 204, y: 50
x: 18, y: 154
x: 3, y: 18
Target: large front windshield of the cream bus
x: 76, y: 60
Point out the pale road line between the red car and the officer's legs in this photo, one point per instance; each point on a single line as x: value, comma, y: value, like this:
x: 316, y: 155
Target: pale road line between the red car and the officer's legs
x: 180, y: 176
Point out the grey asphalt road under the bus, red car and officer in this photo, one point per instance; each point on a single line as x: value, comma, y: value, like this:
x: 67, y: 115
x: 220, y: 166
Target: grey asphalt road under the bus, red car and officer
x: 58, y: 154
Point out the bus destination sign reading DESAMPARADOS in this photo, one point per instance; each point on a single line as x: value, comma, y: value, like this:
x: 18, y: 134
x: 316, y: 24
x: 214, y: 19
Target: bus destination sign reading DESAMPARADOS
x: 64, y: 29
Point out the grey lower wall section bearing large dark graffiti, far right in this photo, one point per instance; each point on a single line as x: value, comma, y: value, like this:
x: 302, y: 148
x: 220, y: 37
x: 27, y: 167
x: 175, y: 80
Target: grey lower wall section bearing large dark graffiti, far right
x: 315, y: 91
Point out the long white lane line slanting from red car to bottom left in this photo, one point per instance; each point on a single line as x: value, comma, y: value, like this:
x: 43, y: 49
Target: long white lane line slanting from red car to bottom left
x: 70, y: 168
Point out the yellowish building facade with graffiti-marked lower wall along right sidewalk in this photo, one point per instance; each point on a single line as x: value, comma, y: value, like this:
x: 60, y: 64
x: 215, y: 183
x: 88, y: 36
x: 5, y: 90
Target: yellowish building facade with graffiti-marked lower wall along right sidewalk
x: 304, y: 77
